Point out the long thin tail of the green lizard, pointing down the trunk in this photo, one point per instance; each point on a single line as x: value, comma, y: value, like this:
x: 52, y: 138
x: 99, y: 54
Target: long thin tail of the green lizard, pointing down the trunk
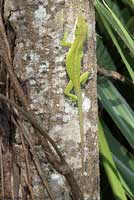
x: 80, y: 113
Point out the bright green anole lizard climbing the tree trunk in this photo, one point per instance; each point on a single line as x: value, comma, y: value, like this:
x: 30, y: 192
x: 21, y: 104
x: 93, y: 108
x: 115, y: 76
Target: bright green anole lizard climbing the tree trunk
x: 73, y: 67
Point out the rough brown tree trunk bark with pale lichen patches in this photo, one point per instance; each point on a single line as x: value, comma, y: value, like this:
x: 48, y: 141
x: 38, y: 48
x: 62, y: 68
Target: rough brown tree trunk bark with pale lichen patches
x: 39, y: 58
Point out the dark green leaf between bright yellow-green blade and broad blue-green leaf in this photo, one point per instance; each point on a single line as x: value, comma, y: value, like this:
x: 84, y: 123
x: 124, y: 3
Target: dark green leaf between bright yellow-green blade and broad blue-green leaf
x: 124, y: 161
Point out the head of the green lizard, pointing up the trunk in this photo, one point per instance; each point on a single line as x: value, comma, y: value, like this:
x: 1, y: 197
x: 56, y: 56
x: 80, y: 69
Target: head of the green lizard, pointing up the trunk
x: 81, y: 27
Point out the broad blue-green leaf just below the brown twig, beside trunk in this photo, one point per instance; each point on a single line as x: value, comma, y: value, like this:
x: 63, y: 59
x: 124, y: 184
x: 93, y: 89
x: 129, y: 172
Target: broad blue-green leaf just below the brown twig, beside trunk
x: 118, y: 109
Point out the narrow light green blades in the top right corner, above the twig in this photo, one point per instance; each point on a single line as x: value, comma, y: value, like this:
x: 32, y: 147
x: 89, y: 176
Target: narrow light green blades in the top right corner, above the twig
x: 112, y: 24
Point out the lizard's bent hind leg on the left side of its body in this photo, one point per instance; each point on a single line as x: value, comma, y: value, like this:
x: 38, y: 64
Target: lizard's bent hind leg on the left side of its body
x: 68, y: 93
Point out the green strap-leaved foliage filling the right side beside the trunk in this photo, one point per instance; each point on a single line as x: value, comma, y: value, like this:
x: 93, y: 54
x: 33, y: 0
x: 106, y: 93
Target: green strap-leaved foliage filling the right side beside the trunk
x: 115, y: 51
